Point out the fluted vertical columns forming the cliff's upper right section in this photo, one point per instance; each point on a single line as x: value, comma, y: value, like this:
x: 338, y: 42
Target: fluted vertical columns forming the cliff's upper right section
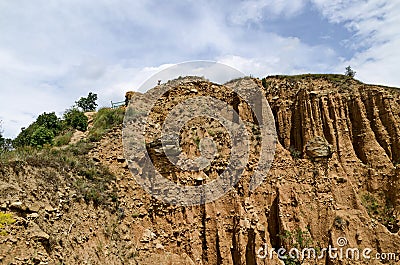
x: 361, y: 122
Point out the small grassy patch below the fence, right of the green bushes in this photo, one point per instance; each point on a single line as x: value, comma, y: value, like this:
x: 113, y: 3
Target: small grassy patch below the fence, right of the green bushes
x: 104, y: 120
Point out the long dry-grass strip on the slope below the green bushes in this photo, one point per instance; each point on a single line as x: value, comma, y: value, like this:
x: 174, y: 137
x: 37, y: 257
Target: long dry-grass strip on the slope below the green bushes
x: 91, y: 180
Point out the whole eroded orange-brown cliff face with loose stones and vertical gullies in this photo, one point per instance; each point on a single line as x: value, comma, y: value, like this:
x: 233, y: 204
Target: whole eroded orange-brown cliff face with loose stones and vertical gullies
x: 334, y: 176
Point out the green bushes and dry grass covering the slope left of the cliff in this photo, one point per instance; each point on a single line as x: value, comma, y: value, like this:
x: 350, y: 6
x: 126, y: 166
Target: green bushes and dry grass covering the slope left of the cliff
x: 34, y: 148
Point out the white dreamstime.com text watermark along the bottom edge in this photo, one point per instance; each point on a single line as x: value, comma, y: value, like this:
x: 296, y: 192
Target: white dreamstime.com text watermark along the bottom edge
x: 341, y: 252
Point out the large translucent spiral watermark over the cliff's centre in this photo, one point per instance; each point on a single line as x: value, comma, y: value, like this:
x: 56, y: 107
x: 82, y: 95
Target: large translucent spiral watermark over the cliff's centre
x: 154, y: 122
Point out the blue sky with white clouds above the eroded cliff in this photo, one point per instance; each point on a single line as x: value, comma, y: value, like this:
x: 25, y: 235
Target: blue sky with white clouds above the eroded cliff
x: 54, y: 52
